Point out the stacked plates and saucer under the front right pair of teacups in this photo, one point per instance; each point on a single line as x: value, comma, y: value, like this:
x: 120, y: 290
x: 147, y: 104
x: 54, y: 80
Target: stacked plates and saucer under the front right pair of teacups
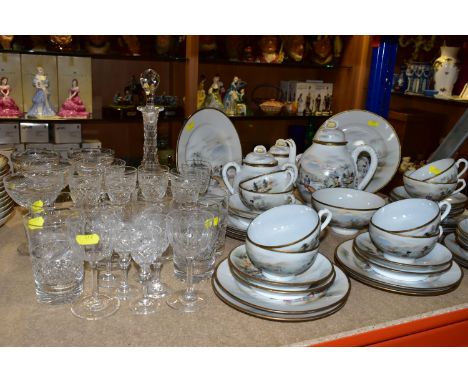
x: 432, y: 274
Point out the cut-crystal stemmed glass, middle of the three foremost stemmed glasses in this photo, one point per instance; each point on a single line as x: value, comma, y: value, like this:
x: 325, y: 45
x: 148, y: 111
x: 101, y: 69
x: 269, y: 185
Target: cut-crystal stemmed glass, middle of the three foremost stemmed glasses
x: 153, y: 240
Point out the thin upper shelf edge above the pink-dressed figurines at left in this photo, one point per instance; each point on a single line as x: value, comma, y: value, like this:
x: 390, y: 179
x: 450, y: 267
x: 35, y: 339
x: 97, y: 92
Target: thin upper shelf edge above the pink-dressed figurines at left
x: 110, y: 56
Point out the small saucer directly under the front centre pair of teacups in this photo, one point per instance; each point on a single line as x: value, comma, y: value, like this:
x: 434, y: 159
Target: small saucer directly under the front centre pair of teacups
x: 315, y: 275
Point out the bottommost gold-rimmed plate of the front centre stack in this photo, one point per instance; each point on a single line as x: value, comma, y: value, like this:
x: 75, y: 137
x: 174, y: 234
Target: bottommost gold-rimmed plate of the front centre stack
x: 259, y: 313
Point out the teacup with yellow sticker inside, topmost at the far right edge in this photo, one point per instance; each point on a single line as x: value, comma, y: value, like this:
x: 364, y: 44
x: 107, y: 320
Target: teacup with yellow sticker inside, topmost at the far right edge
x: 441, y: 171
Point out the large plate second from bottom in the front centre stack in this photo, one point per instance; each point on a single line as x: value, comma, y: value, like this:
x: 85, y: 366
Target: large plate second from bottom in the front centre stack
x: 337, y: 293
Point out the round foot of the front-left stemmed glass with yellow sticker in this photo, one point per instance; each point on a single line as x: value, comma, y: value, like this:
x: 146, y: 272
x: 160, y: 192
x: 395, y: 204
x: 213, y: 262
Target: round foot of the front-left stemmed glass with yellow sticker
x: 95, y: 308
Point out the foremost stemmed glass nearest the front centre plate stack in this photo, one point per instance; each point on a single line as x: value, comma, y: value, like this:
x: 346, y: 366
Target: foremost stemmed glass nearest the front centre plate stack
x: 190, y: 232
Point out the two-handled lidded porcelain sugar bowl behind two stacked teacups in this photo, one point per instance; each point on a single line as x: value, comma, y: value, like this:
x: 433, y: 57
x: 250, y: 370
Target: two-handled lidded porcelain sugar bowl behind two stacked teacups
x: 258, y: 162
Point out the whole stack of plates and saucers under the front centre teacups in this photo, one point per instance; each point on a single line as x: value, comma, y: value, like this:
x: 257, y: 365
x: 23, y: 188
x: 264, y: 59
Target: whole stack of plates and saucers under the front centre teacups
x: 316, y: 293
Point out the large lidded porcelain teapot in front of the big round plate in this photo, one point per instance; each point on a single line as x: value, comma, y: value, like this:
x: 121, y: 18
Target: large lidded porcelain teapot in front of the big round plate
x: 327, y: 163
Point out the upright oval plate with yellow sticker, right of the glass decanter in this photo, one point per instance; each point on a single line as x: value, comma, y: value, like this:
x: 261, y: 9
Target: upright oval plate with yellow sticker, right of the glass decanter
x: 209, y: 135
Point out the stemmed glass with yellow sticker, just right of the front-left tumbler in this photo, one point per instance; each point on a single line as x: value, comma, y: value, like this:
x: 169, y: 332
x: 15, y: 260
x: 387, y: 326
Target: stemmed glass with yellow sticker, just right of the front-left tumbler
x: 93, y: 233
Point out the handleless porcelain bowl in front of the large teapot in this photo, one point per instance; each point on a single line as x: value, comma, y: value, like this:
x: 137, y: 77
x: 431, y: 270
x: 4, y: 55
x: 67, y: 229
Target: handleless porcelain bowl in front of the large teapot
x: 351, y: 209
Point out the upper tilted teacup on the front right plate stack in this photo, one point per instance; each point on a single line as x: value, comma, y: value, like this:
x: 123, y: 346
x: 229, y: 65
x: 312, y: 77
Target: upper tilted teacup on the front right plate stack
x: 412, y: 217
